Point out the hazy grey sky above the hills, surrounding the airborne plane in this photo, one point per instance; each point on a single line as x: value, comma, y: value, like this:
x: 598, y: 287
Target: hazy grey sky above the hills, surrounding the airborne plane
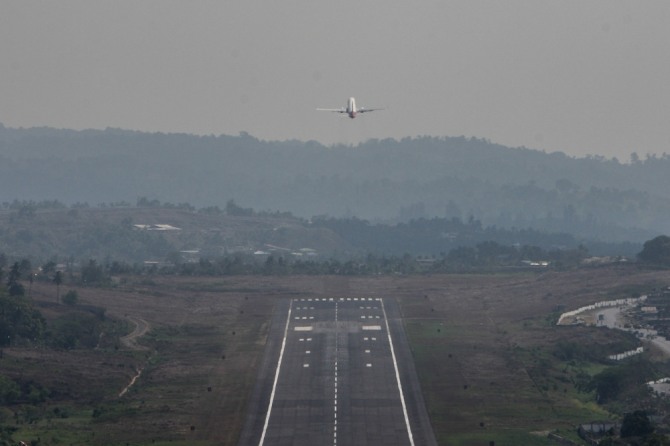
x: 578, y: 76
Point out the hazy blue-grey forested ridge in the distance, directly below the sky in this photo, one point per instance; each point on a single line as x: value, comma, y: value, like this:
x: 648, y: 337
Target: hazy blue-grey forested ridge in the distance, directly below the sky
x: 379, y: 180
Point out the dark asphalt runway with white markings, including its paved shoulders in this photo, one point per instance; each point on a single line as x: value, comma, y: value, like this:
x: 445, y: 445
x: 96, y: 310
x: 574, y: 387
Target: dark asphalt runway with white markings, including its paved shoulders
x: 337, y: 371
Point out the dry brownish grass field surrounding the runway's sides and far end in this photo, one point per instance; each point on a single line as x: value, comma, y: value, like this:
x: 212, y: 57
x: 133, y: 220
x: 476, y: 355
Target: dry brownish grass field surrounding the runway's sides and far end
x: 483, y: 347
